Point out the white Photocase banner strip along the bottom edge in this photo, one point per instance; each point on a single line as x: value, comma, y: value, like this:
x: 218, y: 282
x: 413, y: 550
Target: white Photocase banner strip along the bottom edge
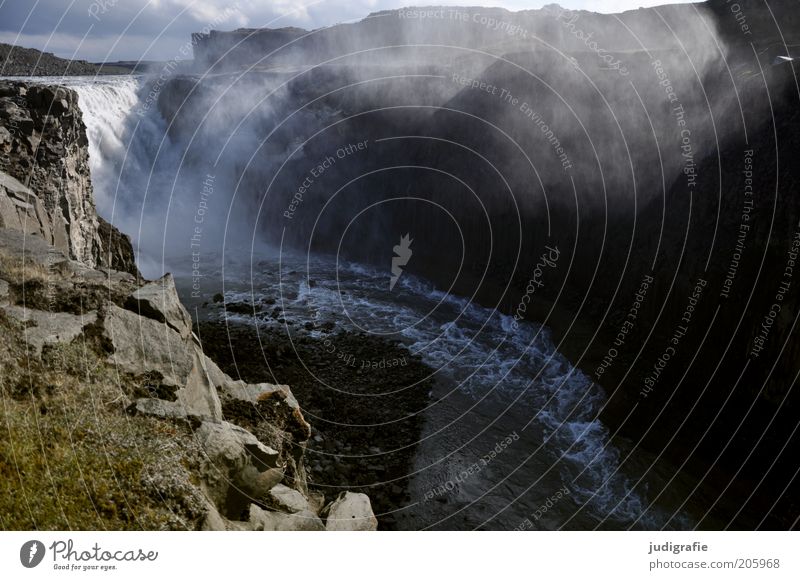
x: 354, y: 555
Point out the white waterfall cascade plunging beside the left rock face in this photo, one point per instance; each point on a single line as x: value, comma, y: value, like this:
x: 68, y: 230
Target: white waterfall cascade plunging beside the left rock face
x: 135, y: 169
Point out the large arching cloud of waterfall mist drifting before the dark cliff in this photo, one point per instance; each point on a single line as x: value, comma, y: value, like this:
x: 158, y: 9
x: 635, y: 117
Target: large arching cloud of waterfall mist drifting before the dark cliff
x: 486, y: 133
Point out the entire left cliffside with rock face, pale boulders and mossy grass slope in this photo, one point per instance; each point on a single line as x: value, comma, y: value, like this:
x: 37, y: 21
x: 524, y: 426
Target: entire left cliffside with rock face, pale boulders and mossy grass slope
x: 170, y: 442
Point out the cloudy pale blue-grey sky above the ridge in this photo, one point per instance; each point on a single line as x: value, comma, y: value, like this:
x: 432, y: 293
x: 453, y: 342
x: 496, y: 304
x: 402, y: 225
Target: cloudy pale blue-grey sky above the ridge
x: 110, y: 30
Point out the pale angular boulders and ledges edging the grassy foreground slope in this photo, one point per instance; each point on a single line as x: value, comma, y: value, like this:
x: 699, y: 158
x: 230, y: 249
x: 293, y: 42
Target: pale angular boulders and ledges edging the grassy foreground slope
x: 242, y: 479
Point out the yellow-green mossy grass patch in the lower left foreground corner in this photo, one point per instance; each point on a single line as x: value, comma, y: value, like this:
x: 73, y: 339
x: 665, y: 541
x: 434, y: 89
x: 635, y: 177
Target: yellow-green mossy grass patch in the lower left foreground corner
x: 72, y: 458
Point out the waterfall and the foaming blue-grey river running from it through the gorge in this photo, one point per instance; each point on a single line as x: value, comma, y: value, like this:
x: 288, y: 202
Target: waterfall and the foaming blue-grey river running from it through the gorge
x: 511, y: 438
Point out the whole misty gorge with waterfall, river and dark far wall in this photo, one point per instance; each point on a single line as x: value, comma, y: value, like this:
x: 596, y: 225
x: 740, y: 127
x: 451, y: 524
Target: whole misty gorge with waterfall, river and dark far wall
x: 599, y: 230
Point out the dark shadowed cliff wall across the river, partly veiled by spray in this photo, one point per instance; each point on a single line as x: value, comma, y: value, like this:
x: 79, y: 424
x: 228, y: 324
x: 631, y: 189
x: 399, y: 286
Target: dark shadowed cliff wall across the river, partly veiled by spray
x: 666, y: 190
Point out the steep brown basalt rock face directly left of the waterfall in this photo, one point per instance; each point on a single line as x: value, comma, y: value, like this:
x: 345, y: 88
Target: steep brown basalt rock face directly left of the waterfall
x: 43, y: 145
